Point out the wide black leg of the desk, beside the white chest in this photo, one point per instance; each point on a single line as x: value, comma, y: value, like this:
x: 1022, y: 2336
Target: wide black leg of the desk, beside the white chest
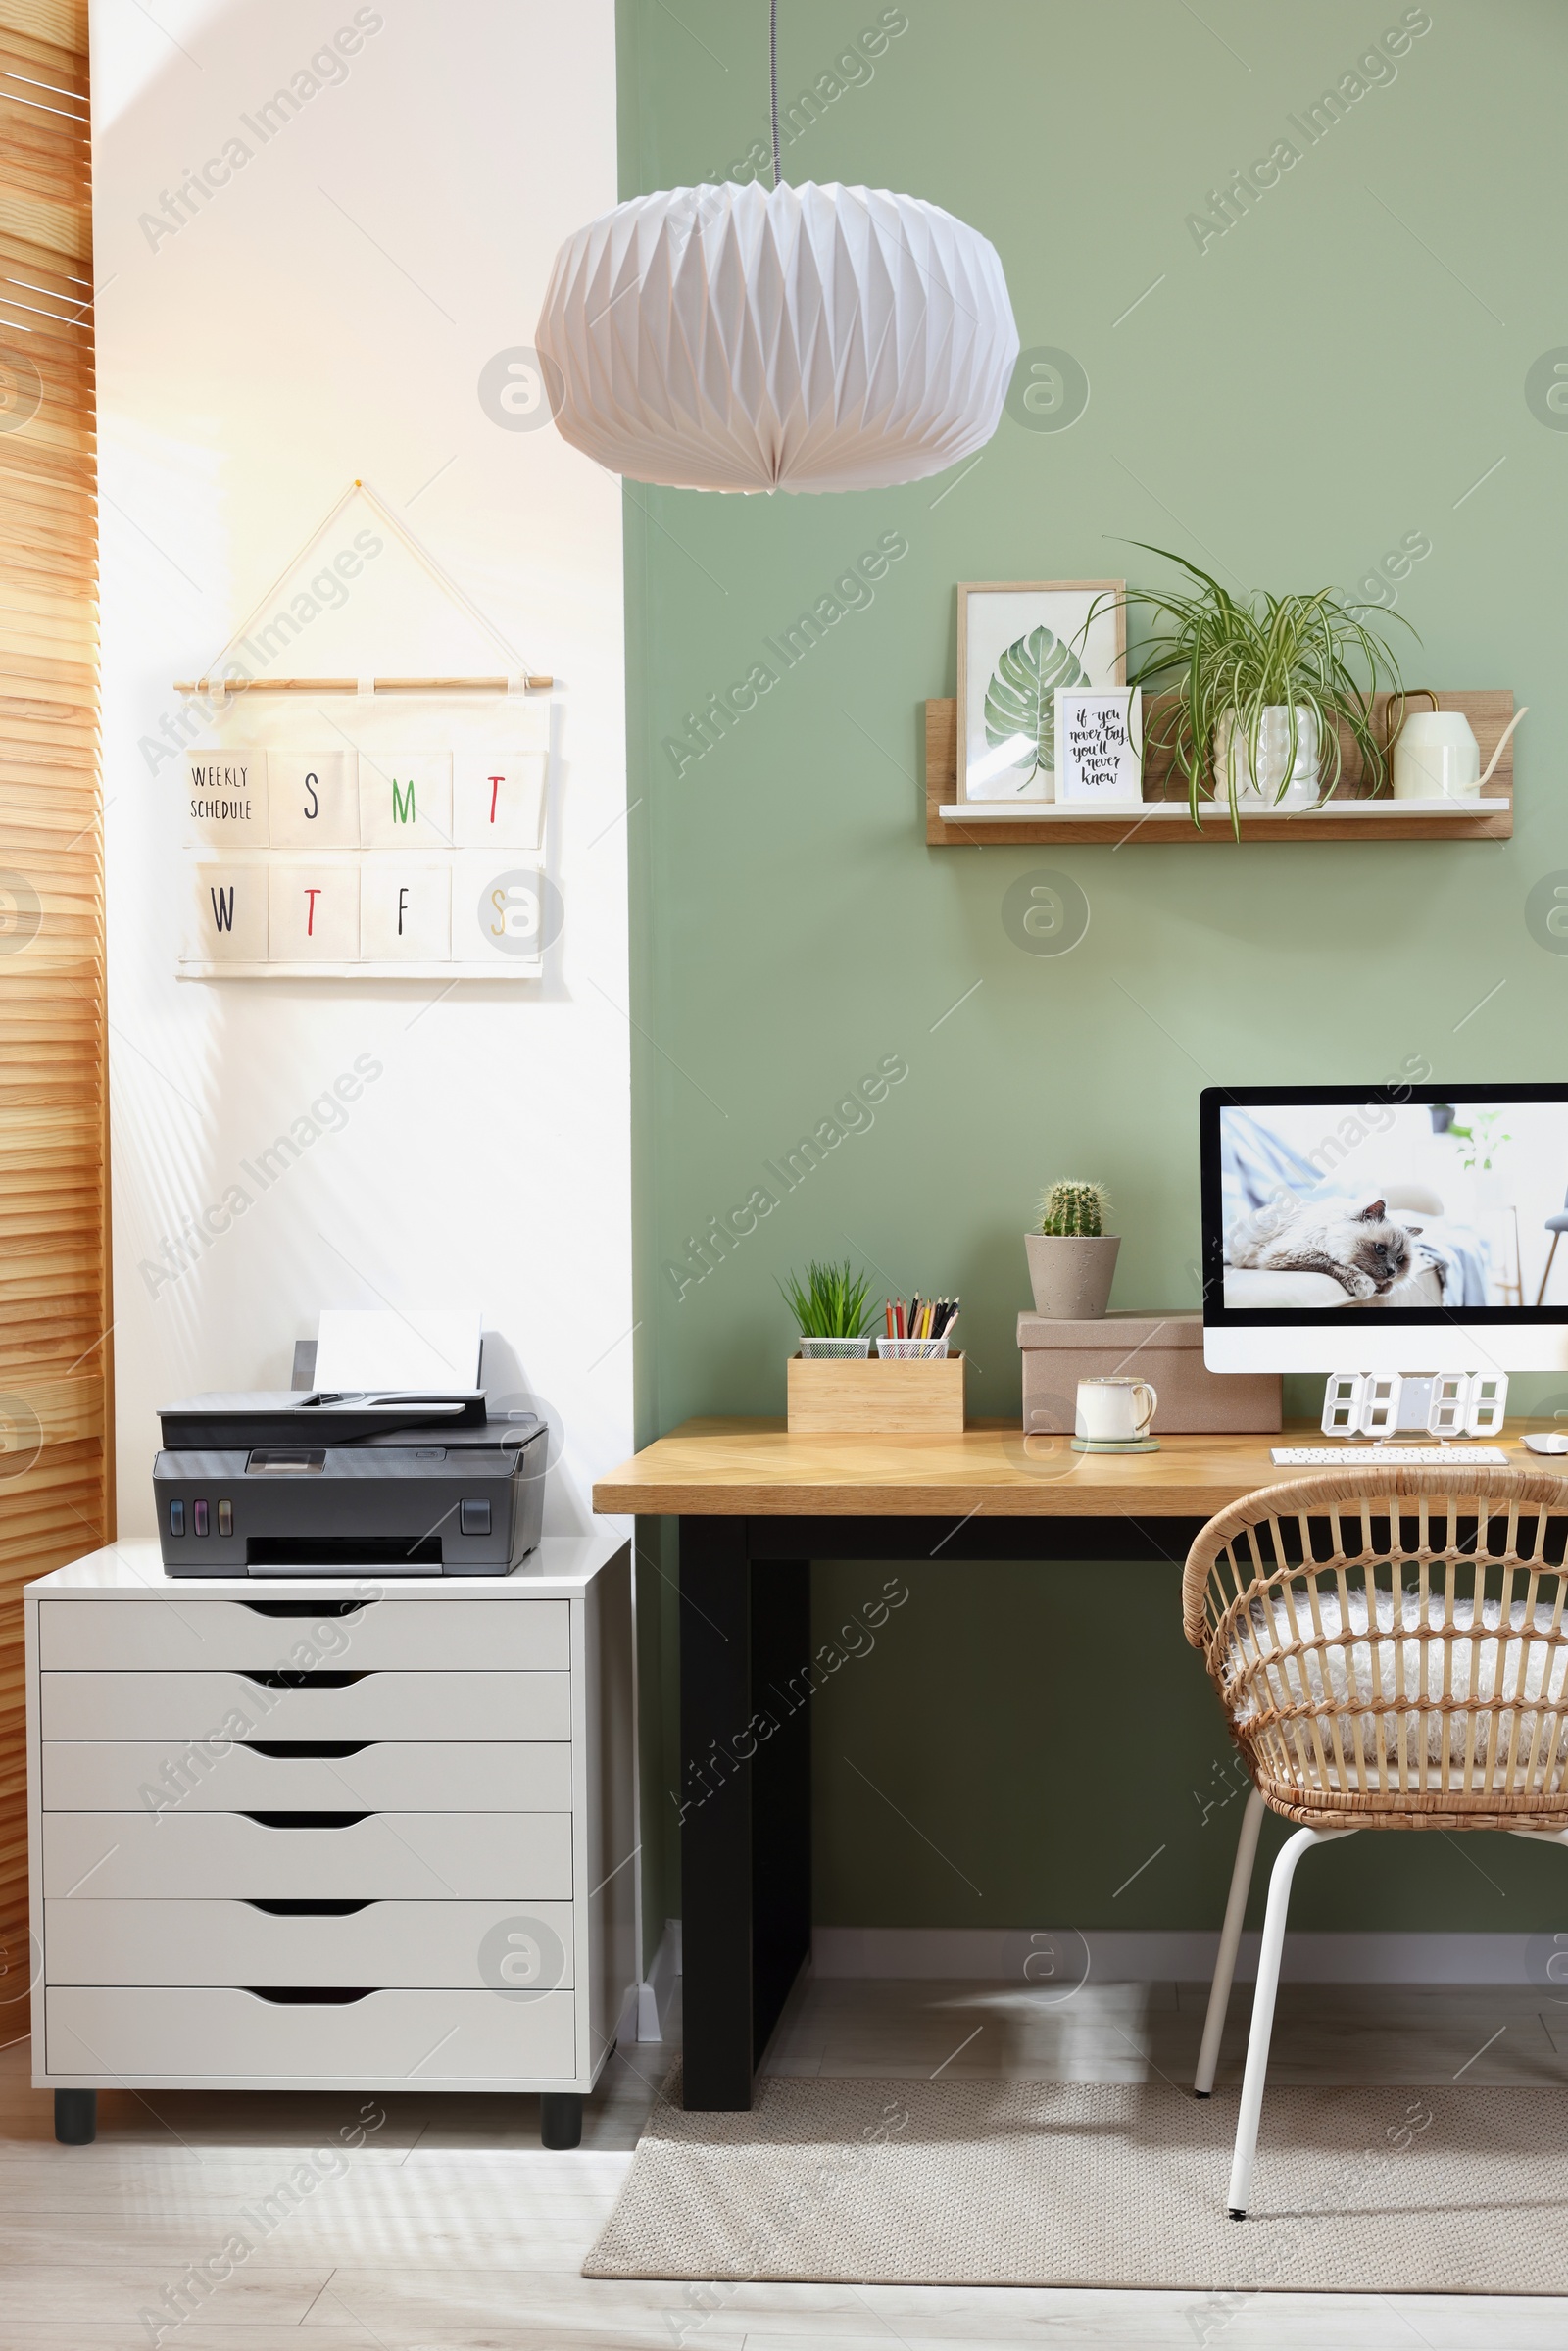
x: 746, y: 1804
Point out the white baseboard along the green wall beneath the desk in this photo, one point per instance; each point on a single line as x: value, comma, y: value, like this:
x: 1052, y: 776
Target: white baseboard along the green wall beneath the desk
x: 1118, y: 1957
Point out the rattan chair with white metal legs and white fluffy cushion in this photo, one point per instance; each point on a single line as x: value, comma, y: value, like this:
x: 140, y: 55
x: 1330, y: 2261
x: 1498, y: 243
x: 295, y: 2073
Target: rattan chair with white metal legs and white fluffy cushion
x: 1391, y: 1649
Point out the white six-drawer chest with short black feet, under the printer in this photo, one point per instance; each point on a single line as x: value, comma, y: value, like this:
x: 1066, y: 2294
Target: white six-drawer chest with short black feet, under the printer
x: 330, y: 1833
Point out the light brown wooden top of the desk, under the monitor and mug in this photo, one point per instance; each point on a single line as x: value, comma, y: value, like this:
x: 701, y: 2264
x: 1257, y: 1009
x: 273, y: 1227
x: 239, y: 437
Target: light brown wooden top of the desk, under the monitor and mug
x: 756, y: 1468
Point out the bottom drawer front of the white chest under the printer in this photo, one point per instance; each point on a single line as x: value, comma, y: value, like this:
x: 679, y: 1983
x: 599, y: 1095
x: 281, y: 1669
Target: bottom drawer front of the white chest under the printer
x: 424, y: 2039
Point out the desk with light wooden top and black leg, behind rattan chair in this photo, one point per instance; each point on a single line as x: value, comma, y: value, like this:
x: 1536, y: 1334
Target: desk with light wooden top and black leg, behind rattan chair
x: 756, y: 1508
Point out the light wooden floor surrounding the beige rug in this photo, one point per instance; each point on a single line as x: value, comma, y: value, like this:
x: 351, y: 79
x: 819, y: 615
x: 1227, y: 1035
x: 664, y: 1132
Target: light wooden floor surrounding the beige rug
x: 450, y: 2230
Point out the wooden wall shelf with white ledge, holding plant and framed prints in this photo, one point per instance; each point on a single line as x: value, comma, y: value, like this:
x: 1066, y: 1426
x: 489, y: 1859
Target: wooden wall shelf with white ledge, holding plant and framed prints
x: 1162, y: 817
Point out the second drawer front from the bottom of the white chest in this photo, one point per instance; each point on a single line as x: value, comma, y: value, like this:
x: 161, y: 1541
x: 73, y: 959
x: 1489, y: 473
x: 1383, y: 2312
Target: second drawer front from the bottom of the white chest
x: 420, y: 1945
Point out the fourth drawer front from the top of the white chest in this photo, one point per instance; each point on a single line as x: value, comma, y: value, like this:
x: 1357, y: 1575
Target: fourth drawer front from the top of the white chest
x: 422, y: 1856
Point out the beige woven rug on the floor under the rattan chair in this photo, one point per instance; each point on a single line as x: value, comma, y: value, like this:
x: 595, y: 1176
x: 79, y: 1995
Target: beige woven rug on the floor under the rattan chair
x: 1040, y: 2183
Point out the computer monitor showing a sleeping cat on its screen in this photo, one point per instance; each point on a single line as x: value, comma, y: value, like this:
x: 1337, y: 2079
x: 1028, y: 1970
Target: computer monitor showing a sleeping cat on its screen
x: 1386, y: 1228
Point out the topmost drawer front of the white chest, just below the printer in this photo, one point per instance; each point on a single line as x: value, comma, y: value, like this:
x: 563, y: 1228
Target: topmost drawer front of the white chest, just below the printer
x: 187, y: 1637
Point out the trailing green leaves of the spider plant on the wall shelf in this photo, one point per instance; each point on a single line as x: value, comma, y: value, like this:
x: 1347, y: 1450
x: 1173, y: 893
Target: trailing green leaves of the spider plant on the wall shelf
x: 1235, y: 659
